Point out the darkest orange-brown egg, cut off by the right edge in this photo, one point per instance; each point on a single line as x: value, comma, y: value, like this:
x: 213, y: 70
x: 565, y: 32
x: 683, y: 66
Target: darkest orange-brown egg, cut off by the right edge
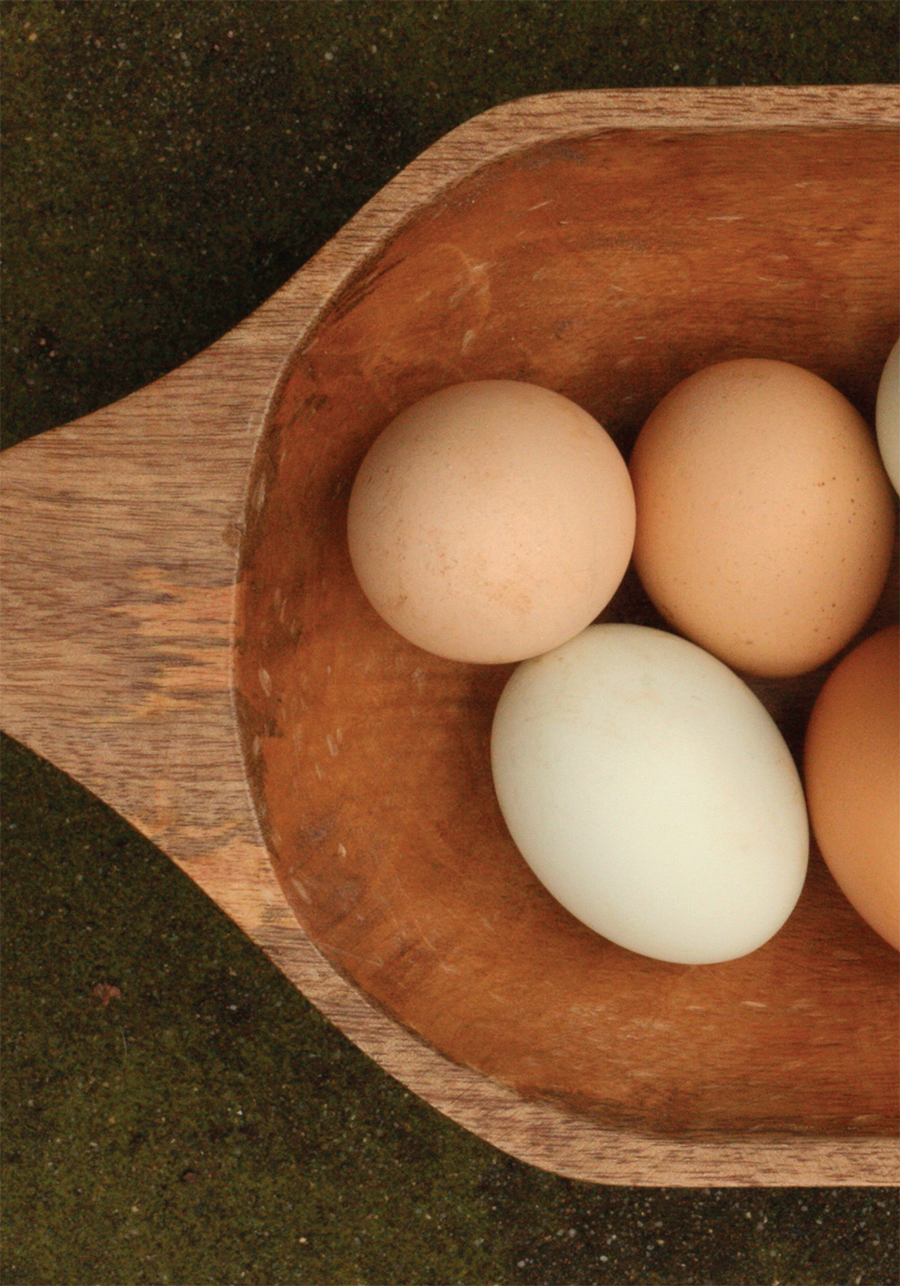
x: 852, y: 767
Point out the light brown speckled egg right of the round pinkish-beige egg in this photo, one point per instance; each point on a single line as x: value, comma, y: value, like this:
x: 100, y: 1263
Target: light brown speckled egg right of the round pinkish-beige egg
x: 766, y: 520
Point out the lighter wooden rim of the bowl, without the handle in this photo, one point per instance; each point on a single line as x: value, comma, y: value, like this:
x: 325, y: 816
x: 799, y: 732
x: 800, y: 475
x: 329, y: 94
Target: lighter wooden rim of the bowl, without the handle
x: 535, y: 1132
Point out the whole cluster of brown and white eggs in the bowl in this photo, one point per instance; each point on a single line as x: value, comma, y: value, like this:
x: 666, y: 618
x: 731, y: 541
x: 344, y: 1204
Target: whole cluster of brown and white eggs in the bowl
x: 638, y: 775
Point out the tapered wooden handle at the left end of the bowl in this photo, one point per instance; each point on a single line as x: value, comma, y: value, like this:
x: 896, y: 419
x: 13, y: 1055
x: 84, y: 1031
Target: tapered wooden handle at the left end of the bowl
x: 119, y: 592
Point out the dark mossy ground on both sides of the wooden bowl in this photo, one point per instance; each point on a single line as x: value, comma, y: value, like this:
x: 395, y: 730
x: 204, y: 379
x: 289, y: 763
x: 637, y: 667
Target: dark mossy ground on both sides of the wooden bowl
x: 174, y: 1110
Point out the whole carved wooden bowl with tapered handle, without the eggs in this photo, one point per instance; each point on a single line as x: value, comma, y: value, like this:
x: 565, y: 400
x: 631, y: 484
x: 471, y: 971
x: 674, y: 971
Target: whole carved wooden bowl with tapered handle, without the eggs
x: 120, y: 600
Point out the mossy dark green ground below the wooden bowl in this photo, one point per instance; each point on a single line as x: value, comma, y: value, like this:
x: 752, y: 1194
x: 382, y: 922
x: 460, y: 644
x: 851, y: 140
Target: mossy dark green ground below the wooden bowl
x: 208, y: 1126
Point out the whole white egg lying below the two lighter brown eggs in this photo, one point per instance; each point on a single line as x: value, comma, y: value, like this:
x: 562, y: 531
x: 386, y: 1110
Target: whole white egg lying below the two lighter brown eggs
x: 652, y: 794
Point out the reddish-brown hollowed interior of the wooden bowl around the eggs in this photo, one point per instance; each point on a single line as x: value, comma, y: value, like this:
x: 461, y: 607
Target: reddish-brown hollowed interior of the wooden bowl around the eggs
x: 607, y: 268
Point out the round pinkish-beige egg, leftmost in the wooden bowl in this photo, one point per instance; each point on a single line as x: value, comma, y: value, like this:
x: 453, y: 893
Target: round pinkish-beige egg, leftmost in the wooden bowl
x: 492, y: 521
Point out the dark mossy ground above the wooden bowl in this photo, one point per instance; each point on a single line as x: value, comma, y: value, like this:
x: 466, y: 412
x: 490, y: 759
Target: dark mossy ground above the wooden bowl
x: 169, y: 165
